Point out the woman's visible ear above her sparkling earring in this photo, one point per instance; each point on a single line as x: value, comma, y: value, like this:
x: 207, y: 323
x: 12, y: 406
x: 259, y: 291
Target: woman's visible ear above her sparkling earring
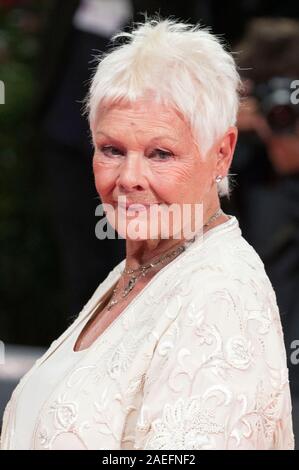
x: 225, y: 151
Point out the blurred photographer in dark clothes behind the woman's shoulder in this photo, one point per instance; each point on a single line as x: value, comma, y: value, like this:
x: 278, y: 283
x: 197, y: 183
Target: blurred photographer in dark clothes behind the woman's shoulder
x: 266, y: 196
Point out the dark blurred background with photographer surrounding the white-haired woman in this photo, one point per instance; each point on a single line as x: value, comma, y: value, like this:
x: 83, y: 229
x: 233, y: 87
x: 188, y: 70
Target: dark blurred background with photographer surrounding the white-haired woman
x: 46, y: 183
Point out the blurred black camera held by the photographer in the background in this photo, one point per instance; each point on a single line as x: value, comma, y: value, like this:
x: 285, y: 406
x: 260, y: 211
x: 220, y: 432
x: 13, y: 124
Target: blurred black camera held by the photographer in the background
x: 274, y: 97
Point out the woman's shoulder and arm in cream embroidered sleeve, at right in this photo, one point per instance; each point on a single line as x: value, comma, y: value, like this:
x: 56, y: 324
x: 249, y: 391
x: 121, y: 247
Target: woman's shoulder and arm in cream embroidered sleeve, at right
x: 223, y: 353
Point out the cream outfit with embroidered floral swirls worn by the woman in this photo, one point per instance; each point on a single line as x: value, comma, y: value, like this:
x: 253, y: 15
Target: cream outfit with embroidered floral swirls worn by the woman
x: 195, y: 361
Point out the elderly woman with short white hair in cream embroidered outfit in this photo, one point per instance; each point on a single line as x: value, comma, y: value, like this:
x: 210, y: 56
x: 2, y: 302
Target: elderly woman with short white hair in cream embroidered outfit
x: 181, y: 346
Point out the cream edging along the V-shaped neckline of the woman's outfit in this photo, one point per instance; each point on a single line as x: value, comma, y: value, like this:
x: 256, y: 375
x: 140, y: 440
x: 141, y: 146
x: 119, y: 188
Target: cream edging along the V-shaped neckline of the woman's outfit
x: 231, y: 223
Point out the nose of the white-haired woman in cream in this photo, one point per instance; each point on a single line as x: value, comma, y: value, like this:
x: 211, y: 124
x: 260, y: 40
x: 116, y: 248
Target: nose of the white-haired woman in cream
x: 132, y: 175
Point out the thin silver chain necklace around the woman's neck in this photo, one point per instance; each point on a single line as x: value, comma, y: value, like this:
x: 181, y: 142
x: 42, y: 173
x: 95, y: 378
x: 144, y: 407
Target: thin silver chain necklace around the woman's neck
x: 143, y: 269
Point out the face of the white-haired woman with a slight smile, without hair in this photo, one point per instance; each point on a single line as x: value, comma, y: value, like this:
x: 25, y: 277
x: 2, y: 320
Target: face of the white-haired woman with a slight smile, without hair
x: 145, y: 151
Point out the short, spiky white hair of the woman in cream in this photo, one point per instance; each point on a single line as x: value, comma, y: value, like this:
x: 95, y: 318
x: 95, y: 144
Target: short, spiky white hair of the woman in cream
x: 184, y: 65
